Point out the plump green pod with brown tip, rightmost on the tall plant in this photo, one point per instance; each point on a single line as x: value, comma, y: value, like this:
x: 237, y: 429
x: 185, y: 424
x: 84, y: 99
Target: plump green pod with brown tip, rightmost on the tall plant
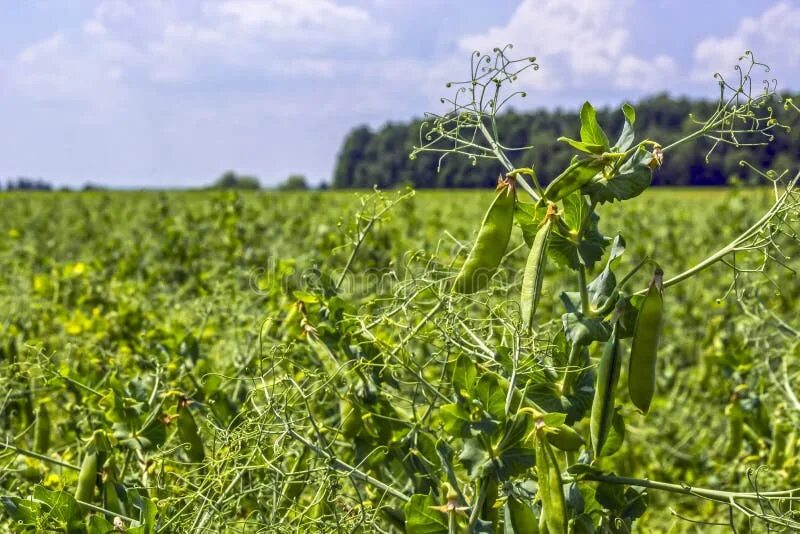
x: 642, y: 365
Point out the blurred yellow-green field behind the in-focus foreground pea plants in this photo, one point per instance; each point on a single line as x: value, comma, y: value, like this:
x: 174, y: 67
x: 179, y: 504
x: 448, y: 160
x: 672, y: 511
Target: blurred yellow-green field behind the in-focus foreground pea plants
x: 107, y: 290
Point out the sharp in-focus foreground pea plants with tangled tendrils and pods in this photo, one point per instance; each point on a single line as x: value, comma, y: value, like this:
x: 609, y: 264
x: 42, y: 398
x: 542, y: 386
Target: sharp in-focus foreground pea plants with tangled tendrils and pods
x: 459, y: 396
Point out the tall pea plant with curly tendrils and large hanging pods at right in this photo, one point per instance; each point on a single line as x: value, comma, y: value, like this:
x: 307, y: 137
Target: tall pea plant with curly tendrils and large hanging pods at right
x: 489, y: 414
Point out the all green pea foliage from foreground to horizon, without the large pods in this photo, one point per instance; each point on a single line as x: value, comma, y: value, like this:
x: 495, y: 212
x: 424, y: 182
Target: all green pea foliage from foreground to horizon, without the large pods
x: 245, y: 362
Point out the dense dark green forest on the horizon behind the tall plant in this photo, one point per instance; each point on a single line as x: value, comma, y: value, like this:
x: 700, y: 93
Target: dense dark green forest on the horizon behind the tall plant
x: 381, y: 157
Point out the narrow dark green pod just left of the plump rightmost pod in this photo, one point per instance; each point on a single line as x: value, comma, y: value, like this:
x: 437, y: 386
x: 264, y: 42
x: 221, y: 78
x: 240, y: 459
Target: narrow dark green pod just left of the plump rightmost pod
x: 604, y: 392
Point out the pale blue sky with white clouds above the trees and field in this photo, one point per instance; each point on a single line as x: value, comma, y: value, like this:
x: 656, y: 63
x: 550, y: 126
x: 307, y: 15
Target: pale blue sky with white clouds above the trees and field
x: 155, y: 93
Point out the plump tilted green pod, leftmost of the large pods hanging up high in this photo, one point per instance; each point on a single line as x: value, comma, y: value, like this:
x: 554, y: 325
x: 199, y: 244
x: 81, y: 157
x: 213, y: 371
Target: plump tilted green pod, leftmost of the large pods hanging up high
x: 492, y: 241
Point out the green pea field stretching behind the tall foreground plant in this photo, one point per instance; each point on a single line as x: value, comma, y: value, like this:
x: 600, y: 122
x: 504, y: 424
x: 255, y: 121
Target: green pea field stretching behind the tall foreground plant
x: 145, y: 315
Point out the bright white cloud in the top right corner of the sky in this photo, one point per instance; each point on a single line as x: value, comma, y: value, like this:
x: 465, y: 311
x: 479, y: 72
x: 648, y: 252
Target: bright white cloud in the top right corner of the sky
x: 774, y: 36
